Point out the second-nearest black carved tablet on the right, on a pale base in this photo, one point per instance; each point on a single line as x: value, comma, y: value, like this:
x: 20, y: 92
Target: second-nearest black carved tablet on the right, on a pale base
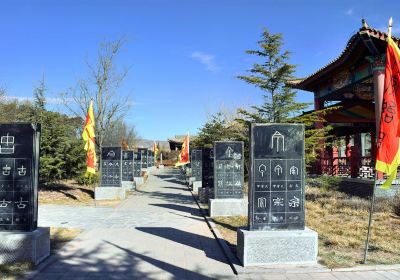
x: 228, y: 169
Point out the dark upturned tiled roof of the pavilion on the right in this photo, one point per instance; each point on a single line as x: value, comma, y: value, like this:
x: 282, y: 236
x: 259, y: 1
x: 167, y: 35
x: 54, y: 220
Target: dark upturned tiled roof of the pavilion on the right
x: 364, y: 34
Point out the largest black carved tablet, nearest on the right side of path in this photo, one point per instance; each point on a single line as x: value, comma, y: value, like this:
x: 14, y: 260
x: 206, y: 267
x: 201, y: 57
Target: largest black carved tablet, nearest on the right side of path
x: 276, y: 199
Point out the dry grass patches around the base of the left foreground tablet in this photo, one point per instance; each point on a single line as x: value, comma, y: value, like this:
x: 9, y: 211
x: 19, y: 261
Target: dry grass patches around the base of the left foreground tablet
x: 58, y: 238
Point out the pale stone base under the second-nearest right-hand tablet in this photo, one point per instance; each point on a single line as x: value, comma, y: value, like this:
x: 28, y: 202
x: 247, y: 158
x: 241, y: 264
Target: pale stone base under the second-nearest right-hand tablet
x: 228, y: 207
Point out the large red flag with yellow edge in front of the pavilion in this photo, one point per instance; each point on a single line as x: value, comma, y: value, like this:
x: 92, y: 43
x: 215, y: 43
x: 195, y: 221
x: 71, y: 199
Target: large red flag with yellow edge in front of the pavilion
x: 388, y: 153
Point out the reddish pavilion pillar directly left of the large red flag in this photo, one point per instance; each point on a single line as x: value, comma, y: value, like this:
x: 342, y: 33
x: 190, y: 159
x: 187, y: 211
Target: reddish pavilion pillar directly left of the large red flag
x: 378, y: 71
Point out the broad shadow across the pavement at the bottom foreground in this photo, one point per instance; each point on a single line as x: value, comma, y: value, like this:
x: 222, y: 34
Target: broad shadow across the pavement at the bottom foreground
x: 126, y: 264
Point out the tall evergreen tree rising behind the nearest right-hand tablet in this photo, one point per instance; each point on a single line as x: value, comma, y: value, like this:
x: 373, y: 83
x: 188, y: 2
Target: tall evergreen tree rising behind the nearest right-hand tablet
x: 279, y: 104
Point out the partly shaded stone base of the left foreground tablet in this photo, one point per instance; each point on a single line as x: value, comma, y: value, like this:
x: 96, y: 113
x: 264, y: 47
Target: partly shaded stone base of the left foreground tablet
x: 31, y: 247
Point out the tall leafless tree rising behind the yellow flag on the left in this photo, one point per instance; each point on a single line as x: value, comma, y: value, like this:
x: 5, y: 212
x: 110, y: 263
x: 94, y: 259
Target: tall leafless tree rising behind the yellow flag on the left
x: 103, y: 87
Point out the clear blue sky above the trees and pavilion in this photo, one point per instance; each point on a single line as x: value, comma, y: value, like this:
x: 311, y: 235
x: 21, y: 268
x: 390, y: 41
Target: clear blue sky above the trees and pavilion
x: 184, y: 56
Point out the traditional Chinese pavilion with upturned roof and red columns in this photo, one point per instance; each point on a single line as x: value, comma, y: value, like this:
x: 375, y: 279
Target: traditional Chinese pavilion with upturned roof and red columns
x: 353, y: 81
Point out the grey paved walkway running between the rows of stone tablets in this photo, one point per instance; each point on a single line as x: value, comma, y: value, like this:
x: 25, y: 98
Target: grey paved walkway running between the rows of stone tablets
x: 156, y: 234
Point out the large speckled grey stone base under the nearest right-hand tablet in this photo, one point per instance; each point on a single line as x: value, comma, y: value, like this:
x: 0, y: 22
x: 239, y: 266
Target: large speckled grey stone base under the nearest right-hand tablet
x: 277, y: 247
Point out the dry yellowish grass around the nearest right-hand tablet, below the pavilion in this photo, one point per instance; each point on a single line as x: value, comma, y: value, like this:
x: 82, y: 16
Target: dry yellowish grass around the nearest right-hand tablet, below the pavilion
x: 341, y: 222
